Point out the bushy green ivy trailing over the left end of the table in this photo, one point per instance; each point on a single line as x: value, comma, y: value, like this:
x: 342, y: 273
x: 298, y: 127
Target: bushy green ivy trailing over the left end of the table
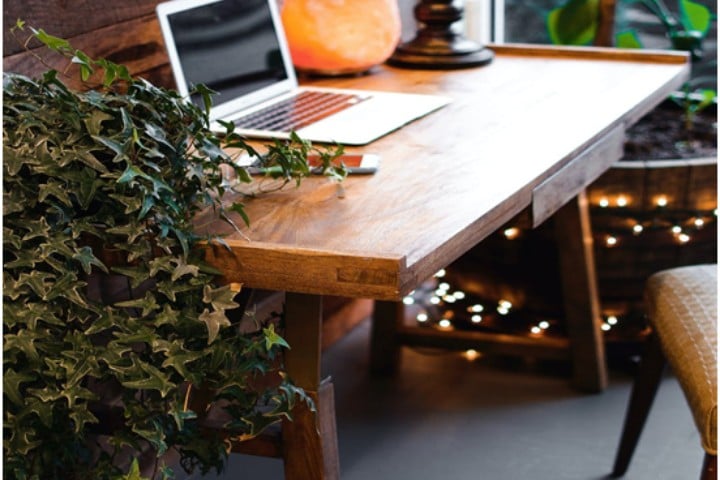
x: 104, y: 184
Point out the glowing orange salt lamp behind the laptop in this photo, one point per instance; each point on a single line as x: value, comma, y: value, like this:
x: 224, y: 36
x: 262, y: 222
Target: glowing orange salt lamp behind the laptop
x: 339, y: 37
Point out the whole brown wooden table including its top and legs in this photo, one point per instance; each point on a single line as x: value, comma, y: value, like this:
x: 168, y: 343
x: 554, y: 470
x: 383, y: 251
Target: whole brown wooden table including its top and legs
x: 530, y: 130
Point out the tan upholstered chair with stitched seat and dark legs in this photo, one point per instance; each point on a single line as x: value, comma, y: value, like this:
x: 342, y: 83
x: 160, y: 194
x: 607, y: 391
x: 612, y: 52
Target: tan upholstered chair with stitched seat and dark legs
x: 682, y: 312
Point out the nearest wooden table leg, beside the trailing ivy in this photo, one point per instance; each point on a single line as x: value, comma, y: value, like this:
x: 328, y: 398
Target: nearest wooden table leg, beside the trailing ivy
x: 309, y: 442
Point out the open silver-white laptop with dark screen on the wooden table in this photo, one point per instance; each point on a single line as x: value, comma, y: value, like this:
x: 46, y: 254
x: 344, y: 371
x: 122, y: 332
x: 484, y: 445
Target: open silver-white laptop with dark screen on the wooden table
x: 238, y: 49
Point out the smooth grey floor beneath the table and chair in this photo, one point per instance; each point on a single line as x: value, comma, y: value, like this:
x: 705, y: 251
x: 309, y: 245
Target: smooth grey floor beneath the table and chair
x: 446, y: 418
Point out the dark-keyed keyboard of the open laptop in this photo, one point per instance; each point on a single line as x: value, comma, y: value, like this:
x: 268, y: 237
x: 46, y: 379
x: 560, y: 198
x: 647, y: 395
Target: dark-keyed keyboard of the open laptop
x: 298, y: 111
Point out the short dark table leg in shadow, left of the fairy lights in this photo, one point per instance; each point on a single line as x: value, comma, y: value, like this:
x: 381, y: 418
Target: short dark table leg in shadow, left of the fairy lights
x: 384, y: 344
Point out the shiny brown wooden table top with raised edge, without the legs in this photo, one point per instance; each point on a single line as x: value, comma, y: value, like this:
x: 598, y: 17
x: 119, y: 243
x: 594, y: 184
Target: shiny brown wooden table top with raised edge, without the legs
x: 447, y: 180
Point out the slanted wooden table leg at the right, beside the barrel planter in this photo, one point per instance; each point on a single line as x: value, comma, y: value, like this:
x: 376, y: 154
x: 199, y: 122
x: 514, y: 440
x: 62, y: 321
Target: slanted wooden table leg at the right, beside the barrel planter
x: 580, y: 294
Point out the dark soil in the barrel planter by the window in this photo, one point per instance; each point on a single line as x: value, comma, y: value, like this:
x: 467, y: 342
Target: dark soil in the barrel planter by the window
x: 662, y: 134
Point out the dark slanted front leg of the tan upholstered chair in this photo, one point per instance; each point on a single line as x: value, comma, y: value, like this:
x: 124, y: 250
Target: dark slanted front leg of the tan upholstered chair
x: 643, y: 393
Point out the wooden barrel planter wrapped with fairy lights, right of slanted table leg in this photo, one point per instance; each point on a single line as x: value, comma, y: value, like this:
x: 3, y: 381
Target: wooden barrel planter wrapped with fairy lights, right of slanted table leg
x: 674, y: 203
